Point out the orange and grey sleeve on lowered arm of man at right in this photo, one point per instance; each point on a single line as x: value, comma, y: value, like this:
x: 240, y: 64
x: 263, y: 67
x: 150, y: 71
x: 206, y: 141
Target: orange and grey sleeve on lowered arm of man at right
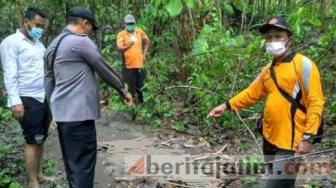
x: 315, y: 99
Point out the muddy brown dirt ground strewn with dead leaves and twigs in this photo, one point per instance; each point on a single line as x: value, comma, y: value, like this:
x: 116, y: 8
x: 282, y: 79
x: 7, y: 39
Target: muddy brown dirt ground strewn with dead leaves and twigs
x: 119, y: 137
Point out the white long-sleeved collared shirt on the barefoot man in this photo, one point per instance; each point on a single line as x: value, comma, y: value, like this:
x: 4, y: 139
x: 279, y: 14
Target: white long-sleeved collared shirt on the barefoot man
x: 22, y: 64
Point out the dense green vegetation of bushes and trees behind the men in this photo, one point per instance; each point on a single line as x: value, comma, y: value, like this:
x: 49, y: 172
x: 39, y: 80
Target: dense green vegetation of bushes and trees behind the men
x: 202, y: 53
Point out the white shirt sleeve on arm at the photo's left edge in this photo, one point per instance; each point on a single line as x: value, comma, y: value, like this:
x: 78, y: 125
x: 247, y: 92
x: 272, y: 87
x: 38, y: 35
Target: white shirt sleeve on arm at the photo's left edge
x: 9, y: 54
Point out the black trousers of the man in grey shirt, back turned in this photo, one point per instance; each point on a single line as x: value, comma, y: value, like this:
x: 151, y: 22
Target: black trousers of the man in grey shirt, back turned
x: 79, y: 149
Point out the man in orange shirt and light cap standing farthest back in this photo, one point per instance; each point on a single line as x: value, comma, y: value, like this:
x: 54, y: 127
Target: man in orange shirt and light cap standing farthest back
x: 133, y: 44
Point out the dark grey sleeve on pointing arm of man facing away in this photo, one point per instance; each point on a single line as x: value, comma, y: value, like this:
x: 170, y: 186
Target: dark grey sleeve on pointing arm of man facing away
x: 90, y: 53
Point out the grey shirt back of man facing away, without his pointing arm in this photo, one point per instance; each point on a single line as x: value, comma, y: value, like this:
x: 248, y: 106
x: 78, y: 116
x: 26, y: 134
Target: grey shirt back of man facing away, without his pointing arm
x: 75, y: 96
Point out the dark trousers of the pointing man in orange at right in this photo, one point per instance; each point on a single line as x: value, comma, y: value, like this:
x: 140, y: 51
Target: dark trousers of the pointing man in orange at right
x: 278, y: 178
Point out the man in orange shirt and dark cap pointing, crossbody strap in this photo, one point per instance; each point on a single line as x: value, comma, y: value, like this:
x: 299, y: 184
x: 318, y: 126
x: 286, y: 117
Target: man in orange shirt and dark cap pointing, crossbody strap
x: 287, y: 126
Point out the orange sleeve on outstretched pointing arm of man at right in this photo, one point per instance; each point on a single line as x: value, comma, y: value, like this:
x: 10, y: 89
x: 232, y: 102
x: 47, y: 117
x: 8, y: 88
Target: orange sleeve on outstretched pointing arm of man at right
x: 254, y: 93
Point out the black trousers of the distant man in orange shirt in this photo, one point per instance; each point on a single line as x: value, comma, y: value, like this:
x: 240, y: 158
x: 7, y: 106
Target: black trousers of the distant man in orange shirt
x: 135, y: 80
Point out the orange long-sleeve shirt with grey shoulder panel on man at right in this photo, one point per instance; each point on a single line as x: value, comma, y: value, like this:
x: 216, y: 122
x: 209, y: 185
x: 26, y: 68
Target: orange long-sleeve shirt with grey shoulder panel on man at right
x: 277, y: 128
